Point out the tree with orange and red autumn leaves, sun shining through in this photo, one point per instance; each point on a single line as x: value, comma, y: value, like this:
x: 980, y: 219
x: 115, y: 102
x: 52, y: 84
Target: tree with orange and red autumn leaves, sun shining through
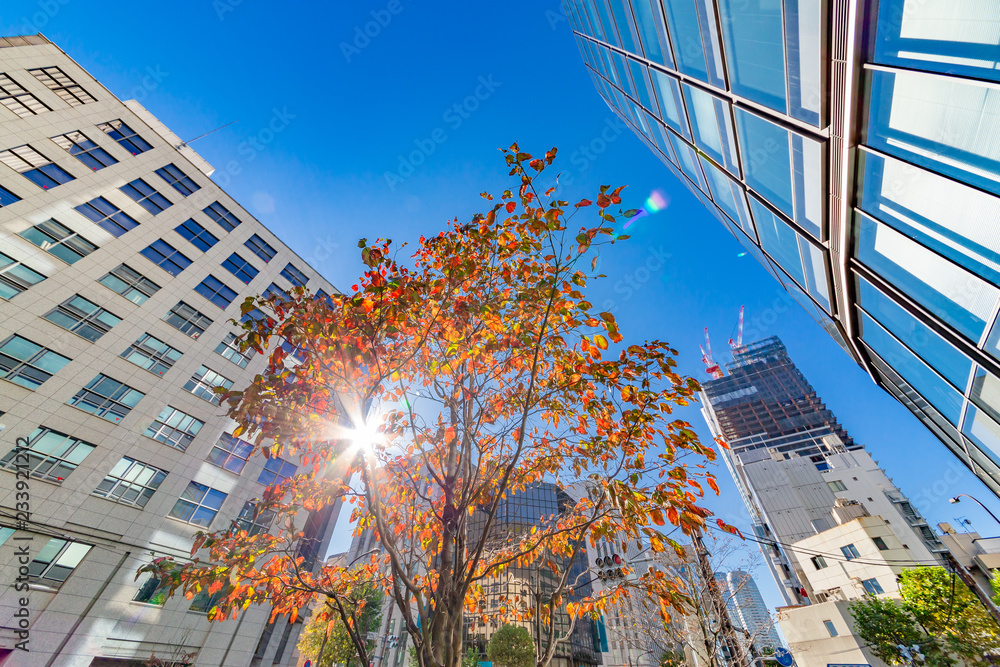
x: 443, y: 383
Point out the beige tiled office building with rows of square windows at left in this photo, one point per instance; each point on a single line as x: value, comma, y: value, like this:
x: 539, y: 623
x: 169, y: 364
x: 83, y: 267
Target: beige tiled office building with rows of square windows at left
x: 121, y: 263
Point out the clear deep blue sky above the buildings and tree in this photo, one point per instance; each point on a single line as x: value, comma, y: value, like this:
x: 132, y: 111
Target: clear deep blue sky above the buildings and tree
x: 345, y: 119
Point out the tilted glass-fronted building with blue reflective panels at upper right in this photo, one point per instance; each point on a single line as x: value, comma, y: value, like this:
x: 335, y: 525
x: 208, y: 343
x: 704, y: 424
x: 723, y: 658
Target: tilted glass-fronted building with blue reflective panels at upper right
x: 852, y: 147
